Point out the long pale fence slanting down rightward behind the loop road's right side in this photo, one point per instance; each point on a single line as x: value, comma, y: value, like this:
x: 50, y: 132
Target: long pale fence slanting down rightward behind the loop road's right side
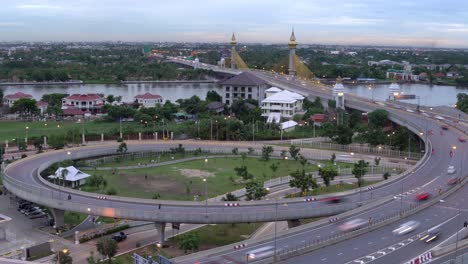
x: 358, y: 148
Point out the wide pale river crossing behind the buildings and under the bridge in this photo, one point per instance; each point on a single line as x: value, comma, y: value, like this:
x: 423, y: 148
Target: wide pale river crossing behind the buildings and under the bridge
x: 429, y: 95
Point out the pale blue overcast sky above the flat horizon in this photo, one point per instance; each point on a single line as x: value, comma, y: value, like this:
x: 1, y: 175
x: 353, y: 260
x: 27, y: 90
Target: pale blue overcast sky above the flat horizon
x: 434, y: 23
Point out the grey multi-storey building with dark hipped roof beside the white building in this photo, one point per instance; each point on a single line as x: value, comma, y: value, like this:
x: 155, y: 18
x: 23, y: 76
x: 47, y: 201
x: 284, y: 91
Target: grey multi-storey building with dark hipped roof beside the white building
x: 243, y: 86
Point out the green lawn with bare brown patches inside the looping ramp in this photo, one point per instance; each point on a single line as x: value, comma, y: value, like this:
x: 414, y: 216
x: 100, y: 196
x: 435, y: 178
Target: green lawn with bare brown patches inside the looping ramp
x: 183, y: 180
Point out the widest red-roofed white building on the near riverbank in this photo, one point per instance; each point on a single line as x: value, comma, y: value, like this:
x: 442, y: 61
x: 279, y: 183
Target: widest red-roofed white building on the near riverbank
x: 90, y: 102
